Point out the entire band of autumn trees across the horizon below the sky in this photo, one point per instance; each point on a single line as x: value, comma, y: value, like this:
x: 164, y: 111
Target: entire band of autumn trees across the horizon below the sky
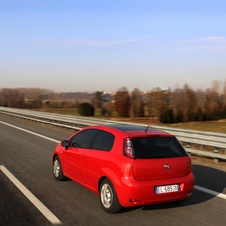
x: 166, y: 106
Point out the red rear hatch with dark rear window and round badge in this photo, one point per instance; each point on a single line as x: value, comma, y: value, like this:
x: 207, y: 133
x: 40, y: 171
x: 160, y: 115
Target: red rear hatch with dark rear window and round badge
x: 159, y: 158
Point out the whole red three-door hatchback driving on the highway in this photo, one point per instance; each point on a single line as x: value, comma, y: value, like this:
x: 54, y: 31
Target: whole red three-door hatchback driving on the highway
x: 126, y: 165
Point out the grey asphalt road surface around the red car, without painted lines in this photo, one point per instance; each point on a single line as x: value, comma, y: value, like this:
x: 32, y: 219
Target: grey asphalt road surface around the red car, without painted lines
x: 28, y: 158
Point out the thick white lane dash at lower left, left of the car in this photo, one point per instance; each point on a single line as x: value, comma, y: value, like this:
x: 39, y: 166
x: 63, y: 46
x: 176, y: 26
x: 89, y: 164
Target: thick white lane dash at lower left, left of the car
x: 39, y: 205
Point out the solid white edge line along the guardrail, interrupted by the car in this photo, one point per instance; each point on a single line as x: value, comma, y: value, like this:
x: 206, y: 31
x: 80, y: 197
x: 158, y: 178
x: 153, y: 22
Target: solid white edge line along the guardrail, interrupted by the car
x: 208, y: 191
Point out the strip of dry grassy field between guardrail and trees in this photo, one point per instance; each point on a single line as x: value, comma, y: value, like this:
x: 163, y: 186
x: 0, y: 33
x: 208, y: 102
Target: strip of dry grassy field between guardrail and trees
x: 210, y: 126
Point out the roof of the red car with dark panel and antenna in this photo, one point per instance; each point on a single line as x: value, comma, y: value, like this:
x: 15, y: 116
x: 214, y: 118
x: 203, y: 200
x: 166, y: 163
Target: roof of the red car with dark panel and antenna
x: 135, y: 130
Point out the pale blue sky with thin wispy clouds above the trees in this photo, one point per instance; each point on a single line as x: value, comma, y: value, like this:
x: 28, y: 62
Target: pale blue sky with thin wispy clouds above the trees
x: 103, y: 45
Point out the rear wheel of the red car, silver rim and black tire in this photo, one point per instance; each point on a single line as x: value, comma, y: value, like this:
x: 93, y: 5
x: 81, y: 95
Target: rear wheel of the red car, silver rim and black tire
x: 108, y: 197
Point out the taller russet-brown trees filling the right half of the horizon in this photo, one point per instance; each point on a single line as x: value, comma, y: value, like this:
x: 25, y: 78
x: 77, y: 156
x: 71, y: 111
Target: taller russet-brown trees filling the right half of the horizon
x: 174, y: 106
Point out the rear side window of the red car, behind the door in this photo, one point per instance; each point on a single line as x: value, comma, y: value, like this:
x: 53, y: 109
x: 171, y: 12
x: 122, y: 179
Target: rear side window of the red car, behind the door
x: 104, y: 141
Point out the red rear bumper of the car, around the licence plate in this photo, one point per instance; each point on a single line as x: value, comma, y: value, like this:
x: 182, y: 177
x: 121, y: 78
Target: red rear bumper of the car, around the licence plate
x: 135, y: 193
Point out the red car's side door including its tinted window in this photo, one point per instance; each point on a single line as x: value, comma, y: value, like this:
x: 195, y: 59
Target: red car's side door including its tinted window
x: 75, y: 157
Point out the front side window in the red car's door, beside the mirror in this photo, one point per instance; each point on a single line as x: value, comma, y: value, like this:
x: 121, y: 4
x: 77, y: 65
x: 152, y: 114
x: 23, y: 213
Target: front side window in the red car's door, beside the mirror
x: 84, y: 138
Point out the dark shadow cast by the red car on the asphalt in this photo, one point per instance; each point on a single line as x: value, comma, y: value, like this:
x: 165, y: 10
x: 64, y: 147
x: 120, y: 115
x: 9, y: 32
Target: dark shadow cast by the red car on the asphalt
x: 206, y: 177
